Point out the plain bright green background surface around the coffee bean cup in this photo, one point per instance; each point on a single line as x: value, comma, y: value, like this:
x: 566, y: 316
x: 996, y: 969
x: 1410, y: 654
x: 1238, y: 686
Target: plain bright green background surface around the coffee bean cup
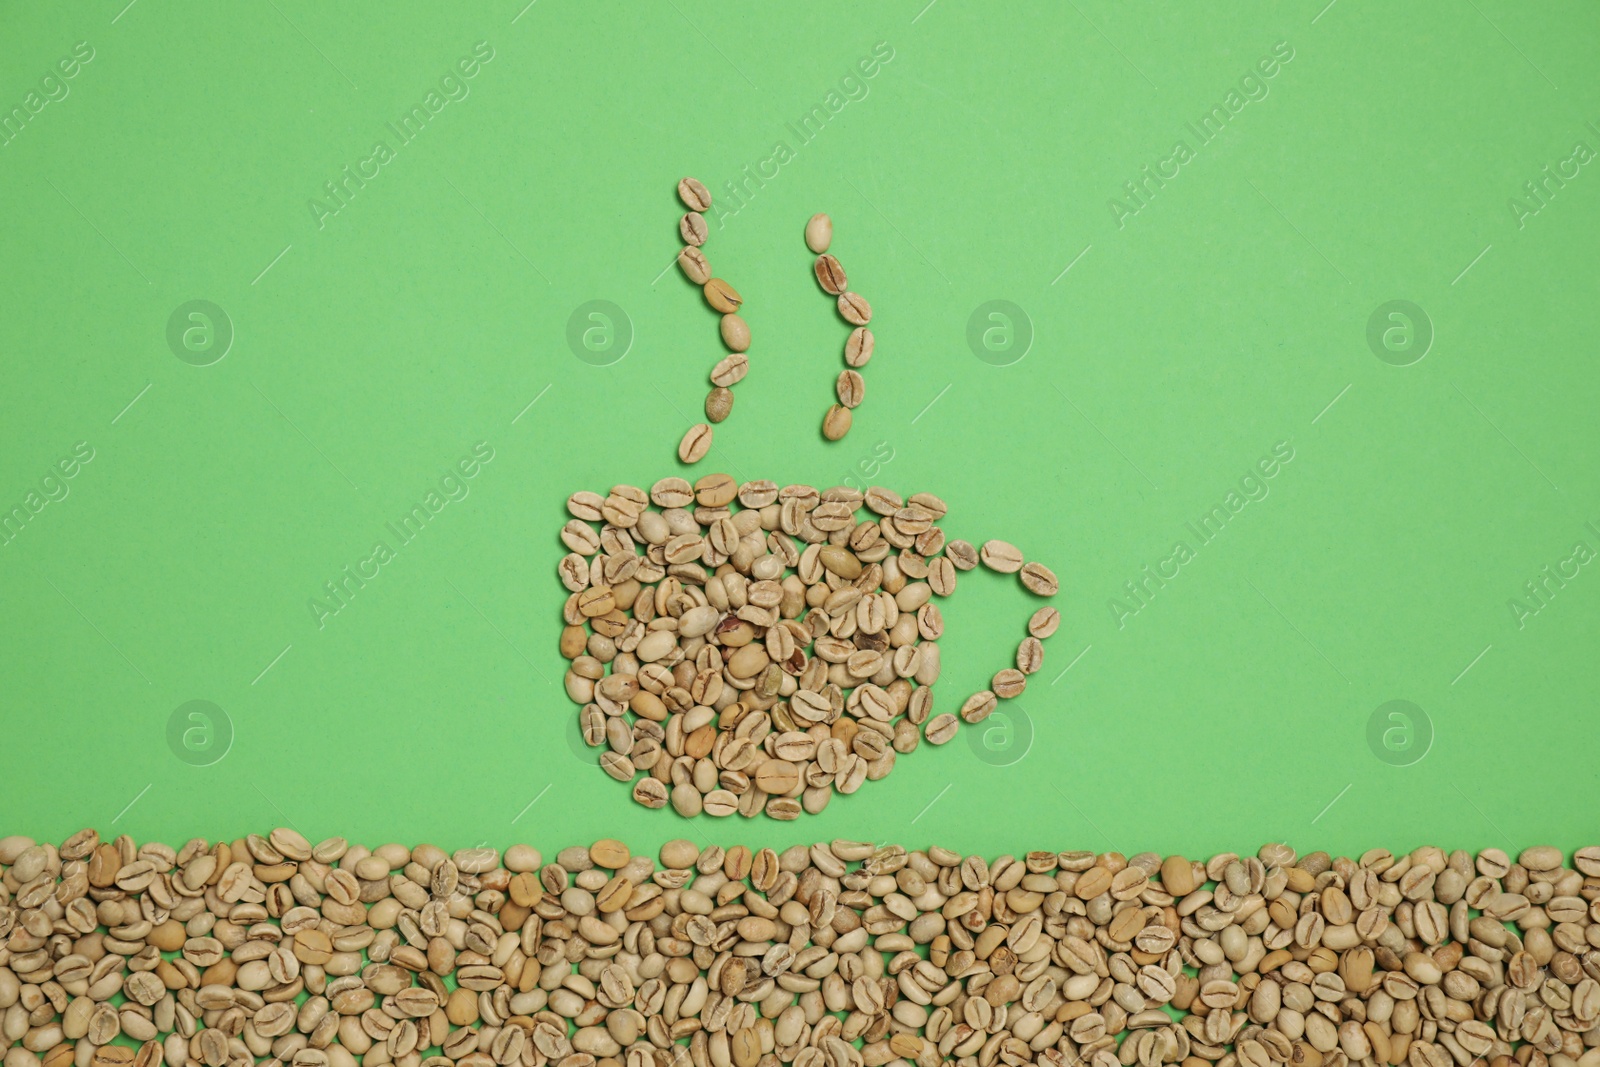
x: 1226, y: 316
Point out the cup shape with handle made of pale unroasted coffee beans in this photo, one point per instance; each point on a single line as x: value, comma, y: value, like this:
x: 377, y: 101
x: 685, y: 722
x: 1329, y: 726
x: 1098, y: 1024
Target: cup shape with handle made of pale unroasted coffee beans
x: 745, y: 649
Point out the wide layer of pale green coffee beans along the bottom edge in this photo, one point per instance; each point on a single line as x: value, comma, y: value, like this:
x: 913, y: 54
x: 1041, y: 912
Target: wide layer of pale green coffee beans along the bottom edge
x: 846, y: 954
